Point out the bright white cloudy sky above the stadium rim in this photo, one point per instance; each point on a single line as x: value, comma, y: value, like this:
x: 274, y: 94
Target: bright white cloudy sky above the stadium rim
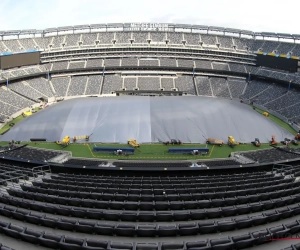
x: 255, y: 15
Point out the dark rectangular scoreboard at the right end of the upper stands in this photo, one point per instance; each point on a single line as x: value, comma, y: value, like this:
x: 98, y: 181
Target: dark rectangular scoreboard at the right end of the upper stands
x: 278, y: 61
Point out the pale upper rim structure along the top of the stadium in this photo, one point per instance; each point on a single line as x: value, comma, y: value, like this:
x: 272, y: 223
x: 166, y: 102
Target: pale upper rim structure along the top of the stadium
x: 126, y: 26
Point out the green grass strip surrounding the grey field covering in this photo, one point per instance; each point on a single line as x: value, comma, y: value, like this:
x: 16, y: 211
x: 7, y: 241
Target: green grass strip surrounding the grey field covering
x: 150, y: 151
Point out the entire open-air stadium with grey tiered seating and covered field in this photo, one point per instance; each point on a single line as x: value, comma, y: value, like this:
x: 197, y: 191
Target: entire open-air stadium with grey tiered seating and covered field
x: 149, y: 136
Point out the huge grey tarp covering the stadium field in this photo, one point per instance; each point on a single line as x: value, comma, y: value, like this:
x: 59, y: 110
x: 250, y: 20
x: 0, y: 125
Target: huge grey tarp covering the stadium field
x: 147, y: 119
